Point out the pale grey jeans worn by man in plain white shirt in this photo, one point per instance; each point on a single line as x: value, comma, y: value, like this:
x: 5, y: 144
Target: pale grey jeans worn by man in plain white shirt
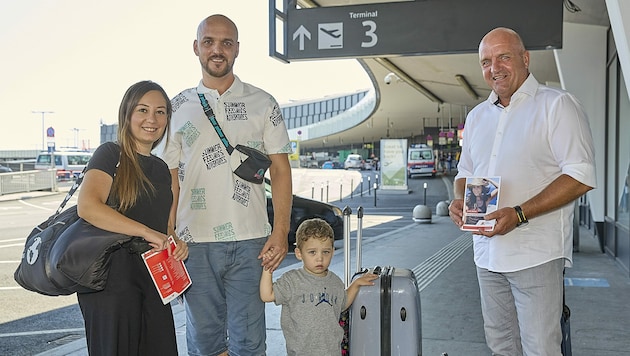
x: 522, y: 309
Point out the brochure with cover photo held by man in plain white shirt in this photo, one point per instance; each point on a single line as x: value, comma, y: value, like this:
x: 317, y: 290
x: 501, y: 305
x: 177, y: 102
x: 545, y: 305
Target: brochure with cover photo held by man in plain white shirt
x: 481, y: 198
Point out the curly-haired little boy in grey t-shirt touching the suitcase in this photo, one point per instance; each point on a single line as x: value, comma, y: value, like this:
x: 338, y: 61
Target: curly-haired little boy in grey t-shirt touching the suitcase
x: 312, y: 297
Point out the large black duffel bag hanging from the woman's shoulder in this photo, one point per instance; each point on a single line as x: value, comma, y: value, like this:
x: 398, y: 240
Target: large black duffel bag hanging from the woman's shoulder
x: 65, y: 254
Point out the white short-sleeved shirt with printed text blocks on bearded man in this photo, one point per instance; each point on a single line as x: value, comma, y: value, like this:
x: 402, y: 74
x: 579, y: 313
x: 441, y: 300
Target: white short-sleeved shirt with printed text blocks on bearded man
x: 214, y: 204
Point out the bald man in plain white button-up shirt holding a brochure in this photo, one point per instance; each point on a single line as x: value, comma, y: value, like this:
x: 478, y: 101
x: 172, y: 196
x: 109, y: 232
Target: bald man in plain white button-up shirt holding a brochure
x: 537, y: 139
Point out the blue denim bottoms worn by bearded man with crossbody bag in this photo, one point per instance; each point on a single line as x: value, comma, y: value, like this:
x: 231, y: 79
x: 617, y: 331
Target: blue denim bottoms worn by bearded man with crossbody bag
x: 224, y: 299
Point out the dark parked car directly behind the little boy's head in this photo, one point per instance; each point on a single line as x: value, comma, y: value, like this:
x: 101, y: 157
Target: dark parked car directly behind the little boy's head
x: 303, y: 209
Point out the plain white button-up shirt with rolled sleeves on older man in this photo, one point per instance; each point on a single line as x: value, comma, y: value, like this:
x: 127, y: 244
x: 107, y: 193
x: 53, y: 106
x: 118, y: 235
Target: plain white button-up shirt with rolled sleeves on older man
x: 542, y: 134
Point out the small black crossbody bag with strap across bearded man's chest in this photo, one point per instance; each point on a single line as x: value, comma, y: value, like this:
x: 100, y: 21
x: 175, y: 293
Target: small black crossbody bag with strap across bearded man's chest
x: 250, y: 163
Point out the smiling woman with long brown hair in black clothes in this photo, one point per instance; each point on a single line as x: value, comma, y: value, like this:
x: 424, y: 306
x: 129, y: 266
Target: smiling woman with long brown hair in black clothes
x: 127, y: 190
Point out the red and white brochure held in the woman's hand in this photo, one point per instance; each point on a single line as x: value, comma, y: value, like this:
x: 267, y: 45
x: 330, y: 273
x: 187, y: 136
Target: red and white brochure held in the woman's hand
x: 169, y: 276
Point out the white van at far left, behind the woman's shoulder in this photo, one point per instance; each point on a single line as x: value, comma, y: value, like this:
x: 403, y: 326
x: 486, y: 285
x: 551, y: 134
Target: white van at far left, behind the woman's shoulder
x: 69, y: 164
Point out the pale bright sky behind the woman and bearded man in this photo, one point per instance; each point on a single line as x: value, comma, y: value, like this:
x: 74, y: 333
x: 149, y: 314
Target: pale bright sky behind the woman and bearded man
x: 74, y: 59
